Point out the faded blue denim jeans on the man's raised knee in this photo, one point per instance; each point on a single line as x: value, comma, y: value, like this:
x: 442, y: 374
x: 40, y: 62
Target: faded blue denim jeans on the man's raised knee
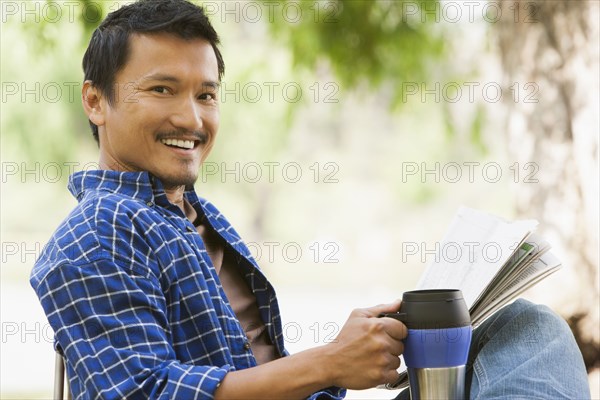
x: 524, y: 351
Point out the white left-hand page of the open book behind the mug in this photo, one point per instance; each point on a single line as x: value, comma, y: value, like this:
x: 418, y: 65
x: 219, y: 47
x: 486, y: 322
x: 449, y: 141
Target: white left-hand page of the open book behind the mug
x: 474, y: 249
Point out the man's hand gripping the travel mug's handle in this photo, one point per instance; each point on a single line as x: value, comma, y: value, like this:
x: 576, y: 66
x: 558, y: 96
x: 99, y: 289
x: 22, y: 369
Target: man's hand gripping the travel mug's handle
x: 366, y: 352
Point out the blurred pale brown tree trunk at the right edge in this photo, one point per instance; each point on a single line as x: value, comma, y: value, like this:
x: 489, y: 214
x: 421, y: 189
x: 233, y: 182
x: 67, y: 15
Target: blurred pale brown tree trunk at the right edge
x: 552, y: 46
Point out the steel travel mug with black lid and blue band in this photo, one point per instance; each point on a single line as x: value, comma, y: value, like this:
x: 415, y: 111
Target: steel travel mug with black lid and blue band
x: 437, y: 345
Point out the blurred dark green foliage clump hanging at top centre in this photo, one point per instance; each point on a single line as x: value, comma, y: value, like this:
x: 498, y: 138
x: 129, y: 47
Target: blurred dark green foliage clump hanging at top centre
x: 372, y: 42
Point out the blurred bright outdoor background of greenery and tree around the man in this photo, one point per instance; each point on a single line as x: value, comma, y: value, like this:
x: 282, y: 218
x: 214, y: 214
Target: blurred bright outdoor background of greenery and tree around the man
x: 351, y: 131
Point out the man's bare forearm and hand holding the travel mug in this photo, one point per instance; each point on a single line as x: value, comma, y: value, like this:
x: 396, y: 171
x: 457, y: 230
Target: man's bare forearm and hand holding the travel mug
x: 365, y: 354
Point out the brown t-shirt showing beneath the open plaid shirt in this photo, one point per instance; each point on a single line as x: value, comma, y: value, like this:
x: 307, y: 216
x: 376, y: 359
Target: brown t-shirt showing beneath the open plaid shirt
x: 241, y: 298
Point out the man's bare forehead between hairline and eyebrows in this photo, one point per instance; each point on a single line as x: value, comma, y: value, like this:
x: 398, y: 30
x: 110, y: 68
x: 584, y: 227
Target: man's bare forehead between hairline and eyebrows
x: 166, y: 53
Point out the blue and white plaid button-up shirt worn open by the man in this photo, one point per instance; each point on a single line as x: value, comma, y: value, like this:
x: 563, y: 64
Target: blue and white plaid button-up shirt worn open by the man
x: 134, y: 300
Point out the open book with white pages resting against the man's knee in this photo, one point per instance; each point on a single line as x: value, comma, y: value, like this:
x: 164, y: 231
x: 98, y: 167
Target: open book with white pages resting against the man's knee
x: 490, y: 260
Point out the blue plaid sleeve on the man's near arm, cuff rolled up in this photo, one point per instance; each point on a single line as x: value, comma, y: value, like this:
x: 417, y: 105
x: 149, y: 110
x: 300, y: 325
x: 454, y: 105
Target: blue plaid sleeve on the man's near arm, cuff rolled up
x: 113, y: 328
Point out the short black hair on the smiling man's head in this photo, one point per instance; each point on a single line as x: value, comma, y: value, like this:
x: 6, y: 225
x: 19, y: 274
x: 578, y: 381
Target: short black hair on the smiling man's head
x: 109, y: 48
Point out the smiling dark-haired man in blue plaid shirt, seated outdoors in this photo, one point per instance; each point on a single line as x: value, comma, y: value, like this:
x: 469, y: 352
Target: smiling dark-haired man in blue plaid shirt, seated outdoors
x: 150, y: 291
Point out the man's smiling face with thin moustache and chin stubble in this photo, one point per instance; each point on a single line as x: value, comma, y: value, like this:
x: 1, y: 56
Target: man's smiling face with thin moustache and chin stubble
x: 165, y: 115
